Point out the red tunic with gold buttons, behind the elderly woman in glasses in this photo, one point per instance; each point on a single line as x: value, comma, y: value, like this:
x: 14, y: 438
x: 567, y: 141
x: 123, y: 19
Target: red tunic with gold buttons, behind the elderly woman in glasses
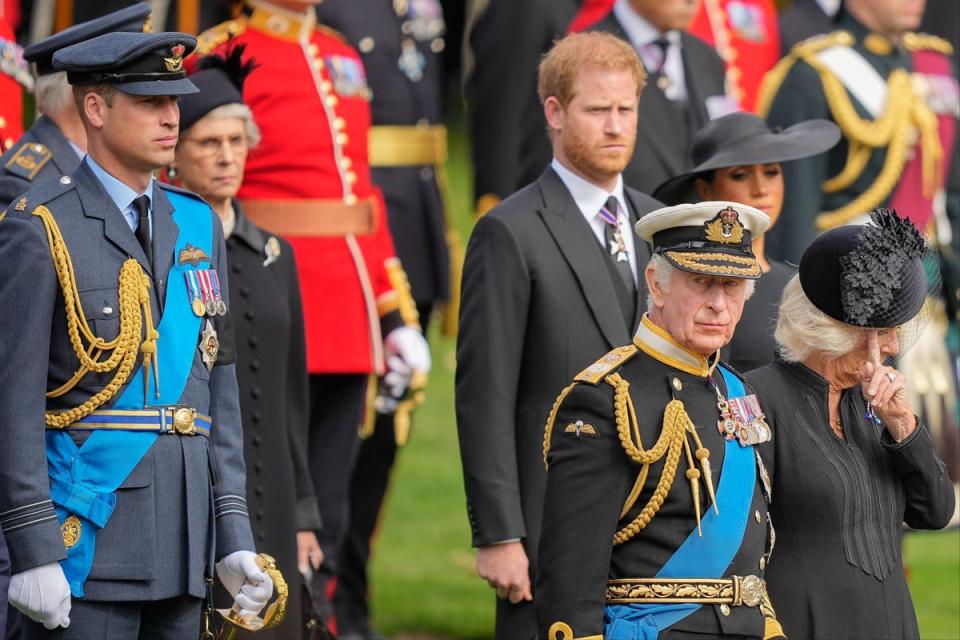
x: 309, y: 98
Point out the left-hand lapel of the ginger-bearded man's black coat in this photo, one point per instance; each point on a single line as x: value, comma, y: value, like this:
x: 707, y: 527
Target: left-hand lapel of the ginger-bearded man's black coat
x: 578, y: 245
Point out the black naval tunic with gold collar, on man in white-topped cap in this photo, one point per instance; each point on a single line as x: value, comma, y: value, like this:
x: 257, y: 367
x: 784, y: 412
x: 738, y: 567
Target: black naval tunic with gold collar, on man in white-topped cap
x: 590, y: 476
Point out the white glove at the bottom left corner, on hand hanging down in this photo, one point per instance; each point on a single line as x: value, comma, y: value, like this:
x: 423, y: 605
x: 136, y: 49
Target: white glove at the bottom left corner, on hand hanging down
x: 42, y: 594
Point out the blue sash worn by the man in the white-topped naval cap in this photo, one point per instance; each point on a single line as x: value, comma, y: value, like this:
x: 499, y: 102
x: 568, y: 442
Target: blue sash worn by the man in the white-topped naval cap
x: 706, y: 556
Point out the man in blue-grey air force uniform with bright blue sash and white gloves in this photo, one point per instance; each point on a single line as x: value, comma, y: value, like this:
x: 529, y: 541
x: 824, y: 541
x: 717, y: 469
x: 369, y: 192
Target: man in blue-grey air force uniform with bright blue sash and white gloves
x: 117, y: 338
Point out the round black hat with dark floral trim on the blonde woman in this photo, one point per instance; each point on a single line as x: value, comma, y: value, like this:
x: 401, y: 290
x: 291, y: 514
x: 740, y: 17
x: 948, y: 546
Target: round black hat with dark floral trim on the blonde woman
x: 868, y: 275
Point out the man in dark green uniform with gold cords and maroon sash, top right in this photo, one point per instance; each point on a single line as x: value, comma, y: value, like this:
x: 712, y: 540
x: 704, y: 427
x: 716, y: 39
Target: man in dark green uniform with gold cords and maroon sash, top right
x: 895, y: 97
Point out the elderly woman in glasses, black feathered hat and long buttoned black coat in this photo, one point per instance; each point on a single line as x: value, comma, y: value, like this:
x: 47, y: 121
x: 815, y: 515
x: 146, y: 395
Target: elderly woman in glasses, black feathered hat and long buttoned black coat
x: 216, y: 131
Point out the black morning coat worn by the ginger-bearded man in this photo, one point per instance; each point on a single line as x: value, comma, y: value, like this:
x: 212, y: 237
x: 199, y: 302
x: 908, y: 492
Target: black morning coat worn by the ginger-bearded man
x: 538, y: 306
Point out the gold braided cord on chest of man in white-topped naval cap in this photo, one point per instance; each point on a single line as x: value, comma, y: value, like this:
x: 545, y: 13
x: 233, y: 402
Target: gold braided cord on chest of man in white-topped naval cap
x: 673, y: 439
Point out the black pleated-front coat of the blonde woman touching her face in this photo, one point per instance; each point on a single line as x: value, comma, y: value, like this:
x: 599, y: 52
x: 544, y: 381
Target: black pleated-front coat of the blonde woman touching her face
x: 836, y: 570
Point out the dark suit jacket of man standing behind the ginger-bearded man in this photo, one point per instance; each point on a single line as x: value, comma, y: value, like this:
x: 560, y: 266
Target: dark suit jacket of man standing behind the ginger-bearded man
x: 662, y: 134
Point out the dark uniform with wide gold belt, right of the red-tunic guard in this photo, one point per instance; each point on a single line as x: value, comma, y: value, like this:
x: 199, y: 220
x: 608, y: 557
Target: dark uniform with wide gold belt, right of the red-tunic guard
x: 400, y: 44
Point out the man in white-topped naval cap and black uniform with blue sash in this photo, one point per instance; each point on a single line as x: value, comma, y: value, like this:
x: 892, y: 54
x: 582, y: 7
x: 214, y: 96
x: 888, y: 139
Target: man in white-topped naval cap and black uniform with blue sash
x: 655, y: 513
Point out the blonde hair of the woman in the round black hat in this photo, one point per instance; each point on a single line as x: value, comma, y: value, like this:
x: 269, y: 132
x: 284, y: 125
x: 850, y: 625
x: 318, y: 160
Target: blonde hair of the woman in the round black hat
x: 803, y: 330
